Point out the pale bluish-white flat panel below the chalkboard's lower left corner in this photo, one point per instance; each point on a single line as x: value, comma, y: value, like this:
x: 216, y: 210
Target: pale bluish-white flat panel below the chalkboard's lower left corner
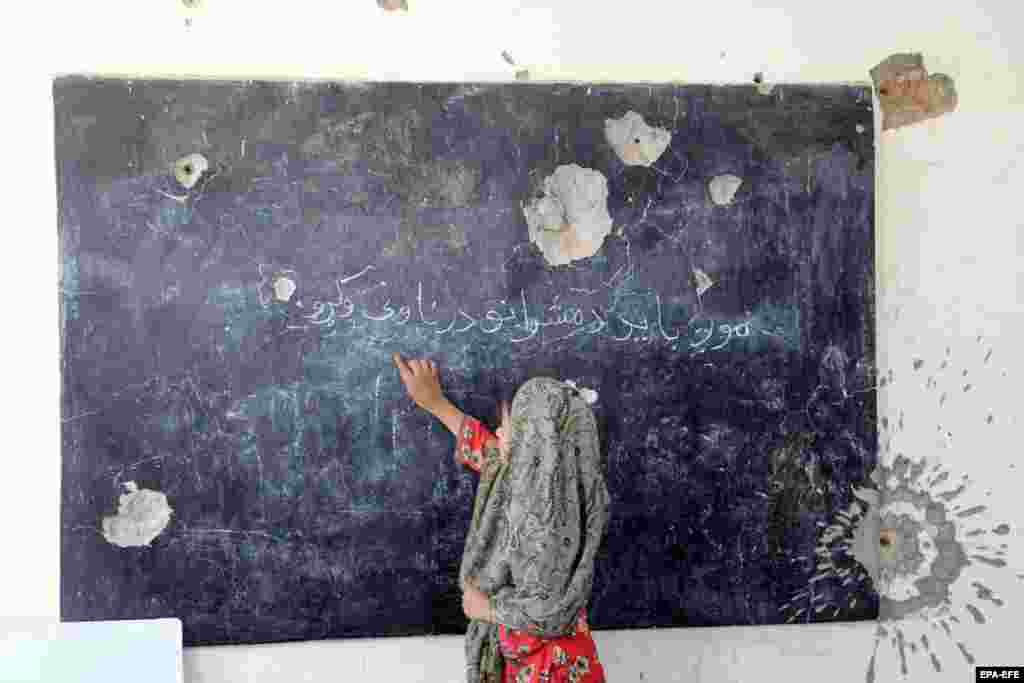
x: 126, y: 652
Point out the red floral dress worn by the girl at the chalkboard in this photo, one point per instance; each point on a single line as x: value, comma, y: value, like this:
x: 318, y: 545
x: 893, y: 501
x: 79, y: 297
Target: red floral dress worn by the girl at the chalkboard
x: 531, y: 659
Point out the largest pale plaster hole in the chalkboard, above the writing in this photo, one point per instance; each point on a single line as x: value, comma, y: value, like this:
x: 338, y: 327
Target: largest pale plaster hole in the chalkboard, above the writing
x: 572, y: 220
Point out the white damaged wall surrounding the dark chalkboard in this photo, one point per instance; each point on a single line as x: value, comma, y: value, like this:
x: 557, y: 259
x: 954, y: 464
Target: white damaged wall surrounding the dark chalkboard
x: 949, y: 232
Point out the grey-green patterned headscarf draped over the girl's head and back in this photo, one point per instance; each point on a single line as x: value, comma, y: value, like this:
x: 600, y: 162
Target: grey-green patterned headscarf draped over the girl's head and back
x: 539, y: 520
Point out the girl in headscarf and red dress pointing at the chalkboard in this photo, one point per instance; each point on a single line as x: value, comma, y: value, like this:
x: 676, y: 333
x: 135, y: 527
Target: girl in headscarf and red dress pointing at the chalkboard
x: 540, y: 515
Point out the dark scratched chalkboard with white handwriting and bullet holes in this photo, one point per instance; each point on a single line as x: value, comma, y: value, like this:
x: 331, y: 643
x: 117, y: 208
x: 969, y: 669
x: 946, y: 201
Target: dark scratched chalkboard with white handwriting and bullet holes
x: 240, y: 260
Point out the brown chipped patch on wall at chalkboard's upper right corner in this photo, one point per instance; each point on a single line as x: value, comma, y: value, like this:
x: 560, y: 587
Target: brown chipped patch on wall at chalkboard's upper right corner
x: 909, y: 95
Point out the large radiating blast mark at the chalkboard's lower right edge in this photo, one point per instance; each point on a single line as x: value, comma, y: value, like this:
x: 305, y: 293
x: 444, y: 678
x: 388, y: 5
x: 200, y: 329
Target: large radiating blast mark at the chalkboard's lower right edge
x: 913, y: 538
